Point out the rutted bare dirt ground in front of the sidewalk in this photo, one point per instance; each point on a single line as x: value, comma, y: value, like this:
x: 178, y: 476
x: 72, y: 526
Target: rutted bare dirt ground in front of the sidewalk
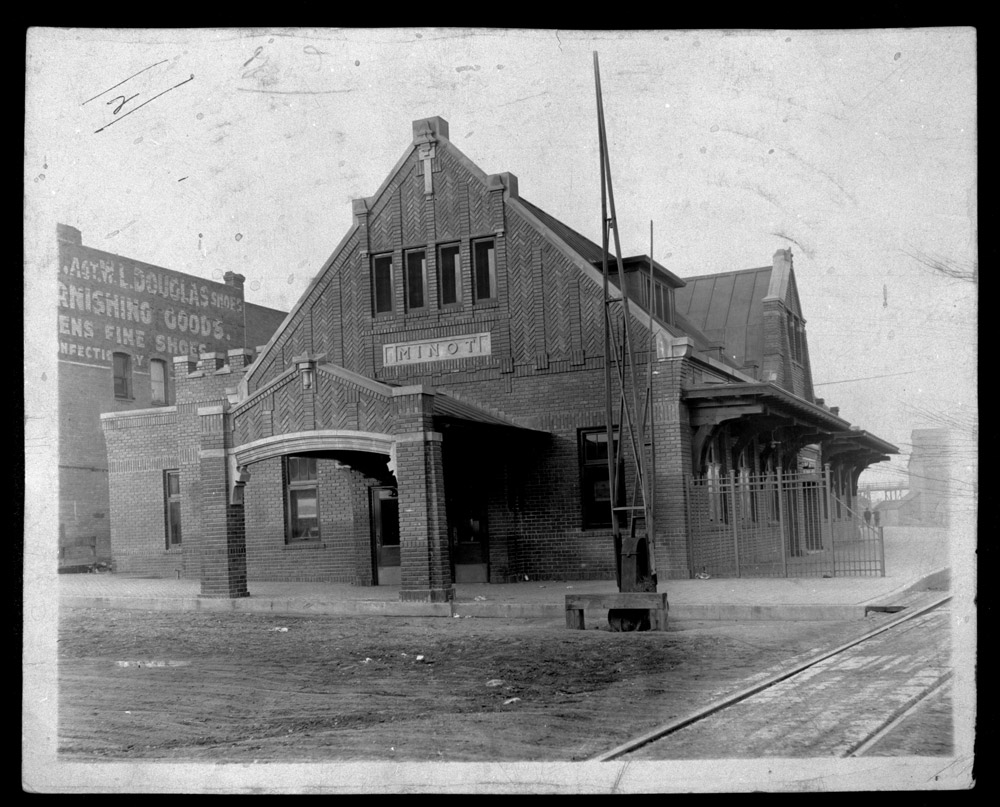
x: 187, y: 686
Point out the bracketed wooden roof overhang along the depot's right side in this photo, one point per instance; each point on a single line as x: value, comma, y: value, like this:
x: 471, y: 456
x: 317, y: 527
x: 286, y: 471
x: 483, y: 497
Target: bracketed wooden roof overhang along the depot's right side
x: 752, y: 409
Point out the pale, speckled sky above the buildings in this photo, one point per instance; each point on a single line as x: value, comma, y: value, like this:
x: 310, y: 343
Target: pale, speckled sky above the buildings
x: 206, y: 151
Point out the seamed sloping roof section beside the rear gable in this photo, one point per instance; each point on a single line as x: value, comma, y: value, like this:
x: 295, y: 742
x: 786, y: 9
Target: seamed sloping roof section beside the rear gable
x: 728, y: 307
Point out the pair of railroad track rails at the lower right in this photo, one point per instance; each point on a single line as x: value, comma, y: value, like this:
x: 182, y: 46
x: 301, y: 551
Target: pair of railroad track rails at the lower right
x: 801, y: 670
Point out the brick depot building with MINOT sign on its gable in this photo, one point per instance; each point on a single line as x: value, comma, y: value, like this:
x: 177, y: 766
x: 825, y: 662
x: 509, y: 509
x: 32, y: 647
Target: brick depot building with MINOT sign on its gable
x: 432, y: 410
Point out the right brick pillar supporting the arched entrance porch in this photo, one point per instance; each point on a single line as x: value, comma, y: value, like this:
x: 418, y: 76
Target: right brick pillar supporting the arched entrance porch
x: 425, y: 556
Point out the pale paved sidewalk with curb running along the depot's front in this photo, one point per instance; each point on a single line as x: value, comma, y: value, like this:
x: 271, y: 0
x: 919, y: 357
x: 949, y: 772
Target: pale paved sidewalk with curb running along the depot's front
x: 915, y: 559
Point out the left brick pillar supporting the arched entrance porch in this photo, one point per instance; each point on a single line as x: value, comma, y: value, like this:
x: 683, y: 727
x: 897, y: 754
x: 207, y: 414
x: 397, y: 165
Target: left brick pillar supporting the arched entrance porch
x: 223, y: 532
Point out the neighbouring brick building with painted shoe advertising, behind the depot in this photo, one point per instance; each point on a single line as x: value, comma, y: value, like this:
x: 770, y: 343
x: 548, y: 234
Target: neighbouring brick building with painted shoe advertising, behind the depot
x: 121, y: 323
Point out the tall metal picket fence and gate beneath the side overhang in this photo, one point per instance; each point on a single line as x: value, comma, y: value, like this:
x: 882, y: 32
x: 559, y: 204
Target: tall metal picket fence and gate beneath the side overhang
x: 778, y: 525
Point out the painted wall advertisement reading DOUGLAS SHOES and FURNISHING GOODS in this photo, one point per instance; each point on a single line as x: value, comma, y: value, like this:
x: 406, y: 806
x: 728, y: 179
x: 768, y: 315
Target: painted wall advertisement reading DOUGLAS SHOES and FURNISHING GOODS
x: 108, y: 303
